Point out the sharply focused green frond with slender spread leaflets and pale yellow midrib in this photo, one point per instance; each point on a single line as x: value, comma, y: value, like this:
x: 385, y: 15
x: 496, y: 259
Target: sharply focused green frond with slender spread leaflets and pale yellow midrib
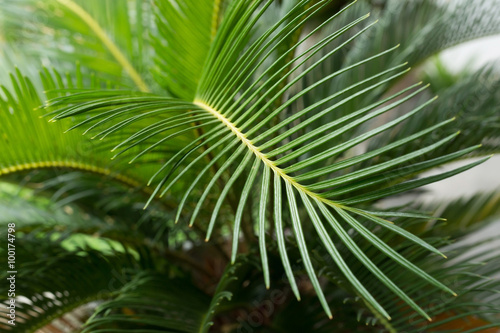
x: 236, y: 112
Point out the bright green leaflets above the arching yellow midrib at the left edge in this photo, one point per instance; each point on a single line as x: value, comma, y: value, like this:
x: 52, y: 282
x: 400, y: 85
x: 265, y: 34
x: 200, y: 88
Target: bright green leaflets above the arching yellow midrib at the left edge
x: 41, y: 145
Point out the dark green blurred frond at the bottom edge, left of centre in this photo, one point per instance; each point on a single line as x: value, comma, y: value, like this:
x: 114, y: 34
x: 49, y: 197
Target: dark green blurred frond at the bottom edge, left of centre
x: 155, y: 303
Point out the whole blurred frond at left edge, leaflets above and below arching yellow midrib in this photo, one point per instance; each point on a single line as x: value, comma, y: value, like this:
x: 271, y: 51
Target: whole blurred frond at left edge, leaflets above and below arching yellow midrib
x: 42, y: 153
